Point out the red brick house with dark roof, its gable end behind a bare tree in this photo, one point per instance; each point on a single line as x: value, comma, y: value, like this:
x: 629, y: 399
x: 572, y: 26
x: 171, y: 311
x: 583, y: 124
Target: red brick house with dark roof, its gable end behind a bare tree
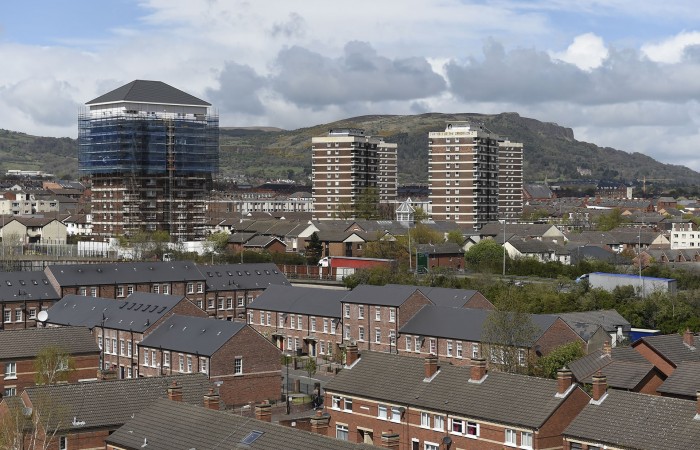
x: 456, y: 335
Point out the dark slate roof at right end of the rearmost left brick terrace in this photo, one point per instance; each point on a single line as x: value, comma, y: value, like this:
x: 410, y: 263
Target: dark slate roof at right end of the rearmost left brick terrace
x: 228, y: 277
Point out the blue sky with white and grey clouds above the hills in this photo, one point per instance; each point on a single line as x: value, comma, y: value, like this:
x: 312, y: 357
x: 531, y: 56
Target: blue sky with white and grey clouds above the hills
x: 620, y: 73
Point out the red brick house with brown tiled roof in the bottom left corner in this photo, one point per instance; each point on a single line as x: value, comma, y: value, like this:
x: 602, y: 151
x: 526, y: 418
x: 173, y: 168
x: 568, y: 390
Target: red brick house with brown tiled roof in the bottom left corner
x: 65, y: 416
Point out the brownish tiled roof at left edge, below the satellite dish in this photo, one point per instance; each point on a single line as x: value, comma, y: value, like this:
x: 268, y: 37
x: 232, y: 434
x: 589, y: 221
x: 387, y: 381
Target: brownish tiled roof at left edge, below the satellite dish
x: 22, y: 344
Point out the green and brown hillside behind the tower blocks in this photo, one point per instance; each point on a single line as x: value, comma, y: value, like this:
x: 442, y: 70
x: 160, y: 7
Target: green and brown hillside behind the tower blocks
x: 261, y: 153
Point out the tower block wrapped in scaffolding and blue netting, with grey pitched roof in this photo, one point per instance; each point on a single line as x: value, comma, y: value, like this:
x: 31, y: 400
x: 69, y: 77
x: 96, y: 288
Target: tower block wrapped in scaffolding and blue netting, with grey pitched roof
x: 151, y: 152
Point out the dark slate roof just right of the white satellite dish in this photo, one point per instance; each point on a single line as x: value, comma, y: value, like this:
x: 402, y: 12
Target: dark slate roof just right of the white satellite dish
x: 137, y: 313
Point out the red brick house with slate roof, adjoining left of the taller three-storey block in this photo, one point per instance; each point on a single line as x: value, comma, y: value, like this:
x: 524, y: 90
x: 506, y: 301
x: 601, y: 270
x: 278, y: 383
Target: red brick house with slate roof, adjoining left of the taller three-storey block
x: 299, y: 319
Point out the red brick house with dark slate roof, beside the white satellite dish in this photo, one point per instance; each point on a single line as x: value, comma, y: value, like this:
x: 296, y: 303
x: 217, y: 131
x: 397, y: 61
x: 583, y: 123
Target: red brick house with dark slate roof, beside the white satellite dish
x: 118, y: 325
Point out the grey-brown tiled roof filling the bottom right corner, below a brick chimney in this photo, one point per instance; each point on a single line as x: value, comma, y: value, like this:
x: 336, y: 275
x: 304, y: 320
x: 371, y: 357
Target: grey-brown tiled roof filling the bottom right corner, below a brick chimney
x: 638, y: 421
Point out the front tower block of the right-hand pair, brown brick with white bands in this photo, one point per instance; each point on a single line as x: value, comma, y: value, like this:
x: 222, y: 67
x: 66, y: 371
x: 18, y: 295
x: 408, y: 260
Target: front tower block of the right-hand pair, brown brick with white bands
x: 463, y: 174
